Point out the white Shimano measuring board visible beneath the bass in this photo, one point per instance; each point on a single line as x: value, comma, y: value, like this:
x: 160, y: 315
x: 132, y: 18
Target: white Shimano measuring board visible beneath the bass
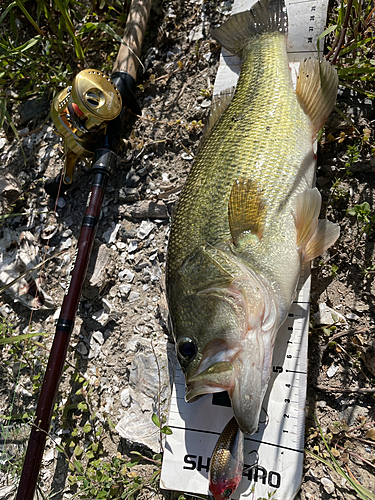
x: 274, y: 454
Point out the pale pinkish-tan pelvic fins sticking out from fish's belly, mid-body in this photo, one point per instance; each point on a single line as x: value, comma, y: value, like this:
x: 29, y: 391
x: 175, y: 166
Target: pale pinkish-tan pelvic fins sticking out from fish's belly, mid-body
x: 313, y: 236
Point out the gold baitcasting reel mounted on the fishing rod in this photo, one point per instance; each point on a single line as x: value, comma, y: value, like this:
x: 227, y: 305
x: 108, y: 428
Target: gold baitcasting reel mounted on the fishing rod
x: 81, y: 112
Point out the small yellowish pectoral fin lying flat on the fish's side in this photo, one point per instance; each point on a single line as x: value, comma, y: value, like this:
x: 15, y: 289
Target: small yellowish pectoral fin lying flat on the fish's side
x: 246, y: 209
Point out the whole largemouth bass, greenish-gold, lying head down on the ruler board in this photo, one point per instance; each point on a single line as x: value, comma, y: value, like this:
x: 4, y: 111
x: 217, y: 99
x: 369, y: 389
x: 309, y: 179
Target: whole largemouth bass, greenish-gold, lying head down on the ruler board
x: 248, y: 215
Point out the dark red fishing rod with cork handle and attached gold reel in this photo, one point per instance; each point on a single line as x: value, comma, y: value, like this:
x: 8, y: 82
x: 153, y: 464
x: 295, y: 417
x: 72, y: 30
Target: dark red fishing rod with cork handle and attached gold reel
x: 89, y: 116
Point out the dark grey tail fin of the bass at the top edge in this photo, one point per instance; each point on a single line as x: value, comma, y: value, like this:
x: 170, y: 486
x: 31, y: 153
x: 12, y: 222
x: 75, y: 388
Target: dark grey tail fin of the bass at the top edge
x: 265, y: 16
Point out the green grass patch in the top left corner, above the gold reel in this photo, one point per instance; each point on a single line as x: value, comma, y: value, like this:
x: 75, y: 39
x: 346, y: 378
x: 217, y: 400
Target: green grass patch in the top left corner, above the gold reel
x: 49, y: 59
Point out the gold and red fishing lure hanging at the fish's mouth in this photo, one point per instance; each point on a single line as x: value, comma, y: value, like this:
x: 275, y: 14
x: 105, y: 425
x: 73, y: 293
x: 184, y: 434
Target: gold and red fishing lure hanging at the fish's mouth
x: 227, y: 461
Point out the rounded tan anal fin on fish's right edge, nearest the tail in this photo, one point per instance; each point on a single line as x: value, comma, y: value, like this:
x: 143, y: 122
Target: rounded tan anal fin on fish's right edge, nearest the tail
x: 317, y: 84
